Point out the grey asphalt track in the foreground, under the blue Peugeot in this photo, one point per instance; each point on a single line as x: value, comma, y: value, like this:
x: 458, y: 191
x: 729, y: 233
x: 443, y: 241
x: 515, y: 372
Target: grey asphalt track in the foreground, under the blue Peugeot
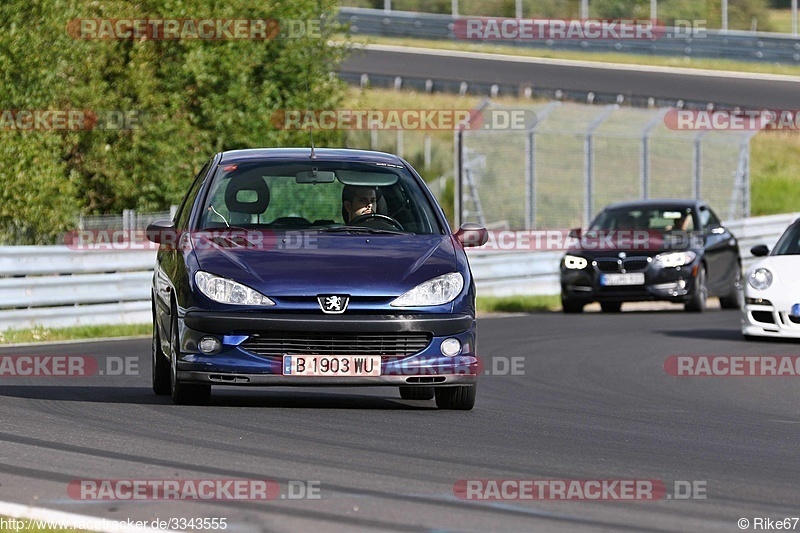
x: 589, y: 400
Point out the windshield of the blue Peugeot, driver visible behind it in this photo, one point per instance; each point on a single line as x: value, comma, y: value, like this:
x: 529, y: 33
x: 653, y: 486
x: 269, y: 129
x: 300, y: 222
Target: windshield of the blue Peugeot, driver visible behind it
x: 326, y: 196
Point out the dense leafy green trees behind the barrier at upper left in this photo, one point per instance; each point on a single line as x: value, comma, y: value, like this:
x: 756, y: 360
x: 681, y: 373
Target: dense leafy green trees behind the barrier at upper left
x: 178, y: 102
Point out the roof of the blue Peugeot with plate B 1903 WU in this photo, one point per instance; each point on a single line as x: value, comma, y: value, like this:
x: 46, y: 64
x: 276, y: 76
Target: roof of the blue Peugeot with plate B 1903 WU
x: 300, y: 154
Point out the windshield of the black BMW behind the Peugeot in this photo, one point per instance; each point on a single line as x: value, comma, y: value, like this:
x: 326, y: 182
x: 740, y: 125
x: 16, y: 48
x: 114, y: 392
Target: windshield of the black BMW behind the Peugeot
x: 660, y: 218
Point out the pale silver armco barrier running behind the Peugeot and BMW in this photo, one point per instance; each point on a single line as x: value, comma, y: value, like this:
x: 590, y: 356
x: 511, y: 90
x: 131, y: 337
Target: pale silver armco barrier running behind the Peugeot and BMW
x: 55, y: 286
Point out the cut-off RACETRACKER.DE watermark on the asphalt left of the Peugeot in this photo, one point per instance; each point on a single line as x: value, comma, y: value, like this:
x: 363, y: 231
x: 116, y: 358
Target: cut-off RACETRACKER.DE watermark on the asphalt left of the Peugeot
x: 66, y: 366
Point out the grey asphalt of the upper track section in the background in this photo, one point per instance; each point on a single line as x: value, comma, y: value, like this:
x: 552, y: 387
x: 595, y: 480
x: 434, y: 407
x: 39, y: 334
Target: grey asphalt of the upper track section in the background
x: 755, y: 91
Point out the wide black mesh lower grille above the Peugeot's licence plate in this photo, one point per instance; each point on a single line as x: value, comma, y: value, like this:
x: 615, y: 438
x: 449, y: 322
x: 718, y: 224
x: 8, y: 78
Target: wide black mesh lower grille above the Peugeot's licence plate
x: 299, y: 343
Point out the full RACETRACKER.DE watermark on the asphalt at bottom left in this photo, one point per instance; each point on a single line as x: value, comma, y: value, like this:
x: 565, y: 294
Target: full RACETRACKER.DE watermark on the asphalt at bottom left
x: 192, y: 489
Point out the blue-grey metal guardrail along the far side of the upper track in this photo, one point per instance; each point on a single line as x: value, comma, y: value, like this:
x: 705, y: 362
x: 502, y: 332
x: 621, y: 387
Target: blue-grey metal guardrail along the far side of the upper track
x: 739, y: 45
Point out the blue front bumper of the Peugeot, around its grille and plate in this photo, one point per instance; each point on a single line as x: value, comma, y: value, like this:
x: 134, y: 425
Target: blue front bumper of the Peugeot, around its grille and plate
x: 239, y: 363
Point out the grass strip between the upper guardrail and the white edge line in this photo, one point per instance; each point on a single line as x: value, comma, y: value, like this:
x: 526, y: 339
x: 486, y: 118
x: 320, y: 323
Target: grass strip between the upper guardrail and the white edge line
x: 634, y: 59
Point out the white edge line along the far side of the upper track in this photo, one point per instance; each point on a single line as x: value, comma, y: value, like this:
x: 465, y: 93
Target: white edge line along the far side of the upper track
x: 577, y: 63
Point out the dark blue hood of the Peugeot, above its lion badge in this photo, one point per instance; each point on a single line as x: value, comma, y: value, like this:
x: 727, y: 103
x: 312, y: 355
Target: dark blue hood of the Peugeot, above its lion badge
x: 309, y: 263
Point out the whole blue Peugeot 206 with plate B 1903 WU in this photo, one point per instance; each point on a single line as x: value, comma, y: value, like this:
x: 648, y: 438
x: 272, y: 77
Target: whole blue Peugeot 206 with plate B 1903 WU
x: 303, y: 267
